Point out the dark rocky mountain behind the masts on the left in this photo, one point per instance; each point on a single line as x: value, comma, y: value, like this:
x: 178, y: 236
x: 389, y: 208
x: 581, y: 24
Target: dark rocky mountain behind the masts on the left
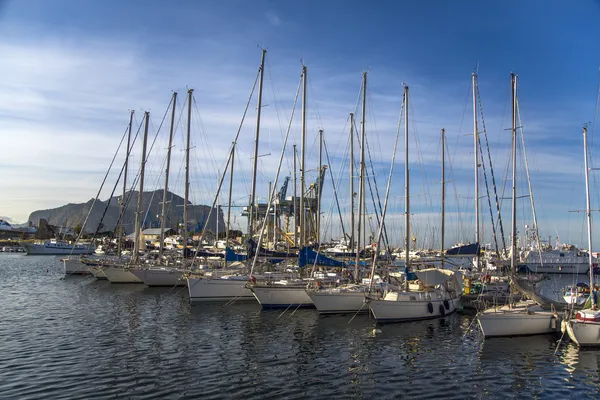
x: 107, y: 212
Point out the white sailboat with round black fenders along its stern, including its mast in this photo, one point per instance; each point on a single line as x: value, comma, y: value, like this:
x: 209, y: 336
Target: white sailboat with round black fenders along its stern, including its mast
x: 437, y: 291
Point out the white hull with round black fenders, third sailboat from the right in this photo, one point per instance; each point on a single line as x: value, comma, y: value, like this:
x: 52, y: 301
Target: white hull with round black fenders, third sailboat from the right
x: 412, y: 310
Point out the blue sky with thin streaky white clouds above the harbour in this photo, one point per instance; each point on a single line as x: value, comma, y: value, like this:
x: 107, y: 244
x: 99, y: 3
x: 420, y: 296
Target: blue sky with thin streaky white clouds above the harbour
x: 71, y: 71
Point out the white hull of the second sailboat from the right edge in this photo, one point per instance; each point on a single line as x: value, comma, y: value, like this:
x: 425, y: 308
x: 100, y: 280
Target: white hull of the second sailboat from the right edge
x: 519, y: 321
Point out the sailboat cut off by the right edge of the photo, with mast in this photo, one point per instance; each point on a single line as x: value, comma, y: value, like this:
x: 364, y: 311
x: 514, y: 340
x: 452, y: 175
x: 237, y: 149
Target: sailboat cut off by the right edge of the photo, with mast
x: 584, y: 329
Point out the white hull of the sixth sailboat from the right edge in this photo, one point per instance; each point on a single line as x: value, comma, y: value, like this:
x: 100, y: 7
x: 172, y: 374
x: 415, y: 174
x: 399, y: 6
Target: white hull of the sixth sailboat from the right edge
x: 207, y: 289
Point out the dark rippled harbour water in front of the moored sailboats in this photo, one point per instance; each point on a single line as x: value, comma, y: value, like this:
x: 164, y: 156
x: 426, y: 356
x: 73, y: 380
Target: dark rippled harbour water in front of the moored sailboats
x: 80, y: 338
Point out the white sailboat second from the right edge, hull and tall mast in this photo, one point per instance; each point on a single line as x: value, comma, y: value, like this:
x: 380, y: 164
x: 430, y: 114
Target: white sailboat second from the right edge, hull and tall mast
x: 525, y: 317
